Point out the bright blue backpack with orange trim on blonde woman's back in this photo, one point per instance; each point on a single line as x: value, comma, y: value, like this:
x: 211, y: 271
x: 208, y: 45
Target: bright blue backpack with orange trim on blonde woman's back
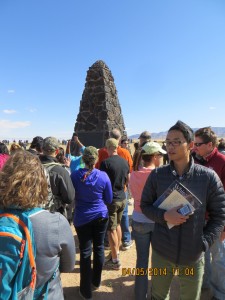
x: 17, y: 256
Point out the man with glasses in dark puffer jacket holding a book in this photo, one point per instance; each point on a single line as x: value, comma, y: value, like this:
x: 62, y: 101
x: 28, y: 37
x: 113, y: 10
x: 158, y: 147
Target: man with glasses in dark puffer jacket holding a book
x: 178, y: 249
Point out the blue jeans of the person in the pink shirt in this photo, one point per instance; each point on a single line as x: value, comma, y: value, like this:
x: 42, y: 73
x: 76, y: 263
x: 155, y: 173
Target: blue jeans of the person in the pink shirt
x: 142, y: 233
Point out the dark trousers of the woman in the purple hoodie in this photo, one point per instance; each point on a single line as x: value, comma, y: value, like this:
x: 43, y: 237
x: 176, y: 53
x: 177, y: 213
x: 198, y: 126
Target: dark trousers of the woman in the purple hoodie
x: 93, y: 231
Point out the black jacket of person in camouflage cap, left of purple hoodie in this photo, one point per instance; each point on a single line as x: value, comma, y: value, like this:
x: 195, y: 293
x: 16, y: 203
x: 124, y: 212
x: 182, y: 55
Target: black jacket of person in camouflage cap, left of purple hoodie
x: 60, y: 180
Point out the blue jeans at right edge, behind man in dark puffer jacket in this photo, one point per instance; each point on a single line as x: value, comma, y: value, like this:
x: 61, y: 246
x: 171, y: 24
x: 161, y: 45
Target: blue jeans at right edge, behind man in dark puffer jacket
x: 214, y: 276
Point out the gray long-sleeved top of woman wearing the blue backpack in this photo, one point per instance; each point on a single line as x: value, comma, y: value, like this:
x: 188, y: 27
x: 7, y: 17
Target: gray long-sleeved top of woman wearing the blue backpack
x: 55, y: 247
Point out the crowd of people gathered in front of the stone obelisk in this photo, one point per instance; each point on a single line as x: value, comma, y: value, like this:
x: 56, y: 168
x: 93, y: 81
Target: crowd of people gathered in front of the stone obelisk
x: 89, y: 188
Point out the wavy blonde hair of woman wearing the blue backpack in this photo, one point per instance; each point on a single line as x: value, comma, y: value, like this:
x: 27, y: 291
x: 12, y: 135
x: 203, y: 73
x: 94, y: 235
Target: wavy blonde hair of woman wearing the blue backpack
x: 23, y: 183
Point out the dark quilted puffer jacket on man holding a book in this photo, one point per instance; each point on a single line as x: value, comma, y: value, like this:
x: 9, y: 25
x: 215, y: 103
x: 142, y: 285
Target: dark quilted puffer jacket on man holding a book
x: 185, y: 244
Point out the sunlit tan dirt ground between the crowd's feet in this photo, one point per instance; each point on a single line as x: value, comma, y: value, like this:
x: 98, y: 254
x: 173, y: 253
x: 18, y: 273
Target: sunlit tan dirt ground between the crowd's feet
x: 114, y: 285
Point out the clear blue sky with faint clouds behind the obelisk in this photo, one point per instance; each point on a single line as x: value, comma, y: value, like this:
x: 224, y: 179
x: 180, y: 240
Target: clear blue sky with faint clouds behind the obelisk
x: 167, y: 58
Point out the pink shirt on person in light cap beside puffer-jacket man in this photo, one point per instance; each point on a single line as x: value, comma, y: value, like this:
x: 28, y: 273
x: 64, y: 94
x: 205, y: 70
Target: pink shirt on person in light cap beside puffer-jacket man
x: 137, y: 182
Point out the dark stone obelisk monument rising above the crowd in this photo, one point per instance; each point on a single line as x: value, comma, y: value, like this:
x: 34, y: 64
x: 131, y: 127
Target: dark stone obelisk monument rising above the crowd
x: 100, y: 109
